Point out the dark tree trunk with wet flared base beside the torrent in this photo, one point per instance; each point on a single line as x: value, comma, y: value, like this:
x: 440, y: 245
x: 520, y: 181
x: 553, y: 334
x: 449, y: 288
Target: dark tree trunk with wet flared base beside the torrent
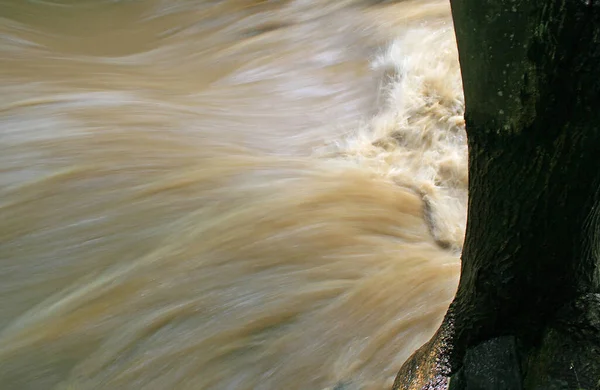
x: 526, y: 311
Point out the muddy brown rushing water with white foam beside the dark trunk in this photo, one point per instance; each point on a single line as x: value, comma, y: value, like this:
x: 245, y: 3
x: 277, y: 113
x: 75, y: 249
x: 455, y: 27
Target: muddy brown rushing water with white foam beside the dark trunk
x: 234, y: 194
